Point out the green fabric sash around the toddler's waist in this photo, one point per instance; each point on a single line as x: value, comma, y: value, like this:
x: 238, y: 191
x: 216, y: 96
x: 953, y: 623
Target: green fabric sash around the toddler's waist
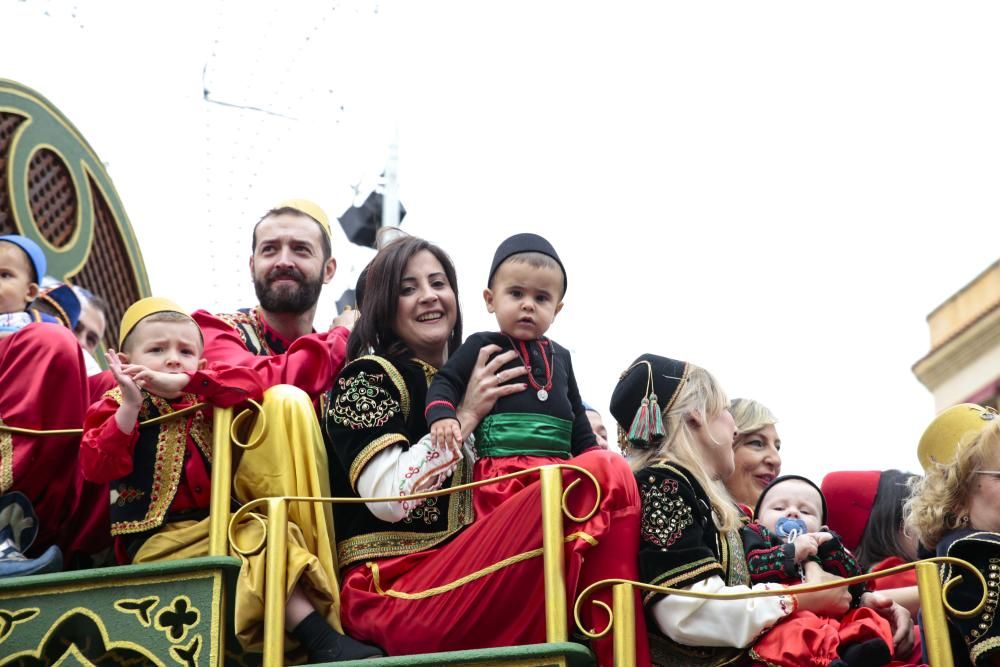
x: 524, y: 434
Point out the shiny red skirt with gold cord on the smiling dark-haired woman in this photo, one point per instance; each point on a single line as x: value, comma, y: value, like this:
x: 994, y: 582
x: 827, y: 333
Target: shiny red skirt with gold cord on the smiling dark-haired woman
x: 484, y: 588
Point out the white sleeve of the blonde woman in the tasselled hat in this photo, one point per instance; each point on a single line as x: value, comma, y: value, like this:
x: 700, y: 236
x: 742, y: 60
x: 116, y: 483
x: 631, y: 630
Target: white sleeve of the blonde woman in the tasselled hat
x: 736, y: 623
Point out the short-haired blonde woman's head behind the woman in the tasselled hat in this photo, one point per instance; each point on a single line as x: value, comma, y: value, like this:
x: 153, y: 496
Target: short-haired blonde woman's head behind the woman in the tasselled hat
x: 756, y: 451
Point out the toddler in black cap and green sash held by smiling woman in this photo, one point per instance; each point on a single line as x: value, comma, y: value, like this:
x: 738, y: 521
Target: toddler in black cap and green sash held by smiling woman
x: 525, y: 288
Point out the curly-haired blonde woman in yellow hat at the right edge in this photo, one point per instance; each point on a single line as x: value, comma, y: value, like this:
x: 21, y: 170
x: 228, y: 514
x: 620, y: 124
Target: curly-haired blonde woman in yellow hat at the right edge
x: 955, y: 510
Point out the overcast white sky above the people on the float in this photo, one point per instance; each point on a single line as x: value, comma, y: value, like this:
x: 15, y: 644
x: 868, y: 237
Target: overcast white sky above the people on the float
x: 779, y: 192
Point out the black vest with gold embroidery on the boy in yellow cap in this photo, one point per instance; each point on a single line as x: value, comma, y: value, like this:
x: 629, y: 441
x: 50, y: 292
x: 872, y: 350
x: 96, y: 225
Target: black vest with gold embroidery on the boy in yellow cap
x: 140, y: 501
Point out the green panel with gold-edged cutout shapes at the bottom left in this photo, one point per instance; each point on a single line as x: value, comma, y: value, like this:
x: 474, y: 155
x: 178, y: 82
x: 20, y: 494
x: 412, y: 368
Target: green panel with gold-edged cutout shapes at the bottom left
x: 162, y: 614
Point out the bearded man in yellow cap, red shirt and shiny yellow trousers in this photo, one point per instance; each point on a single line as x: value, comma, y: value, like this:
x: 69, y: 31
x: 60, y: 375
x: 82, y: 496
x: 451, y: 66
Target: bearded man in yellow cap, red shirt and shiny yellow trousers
x: 291, y: 261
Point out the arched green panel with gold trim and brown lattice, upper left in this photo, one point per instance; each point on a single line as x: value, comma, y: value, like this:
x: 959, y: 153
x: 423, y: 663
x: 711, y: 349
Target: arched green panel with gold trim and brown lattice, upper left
x: 55, y: 190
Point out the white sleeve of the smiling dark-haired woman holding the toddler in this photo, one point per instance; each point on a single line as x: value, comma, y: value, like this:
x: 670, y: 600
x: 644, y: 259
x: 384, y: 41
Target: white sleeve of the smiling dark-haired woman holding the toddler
x: 395, y: 471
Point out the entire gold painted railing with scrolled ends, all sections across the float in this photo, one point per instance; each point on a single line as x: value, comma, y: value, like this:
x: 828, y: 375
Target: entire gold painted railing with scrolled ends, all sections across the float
x: 621, y: 615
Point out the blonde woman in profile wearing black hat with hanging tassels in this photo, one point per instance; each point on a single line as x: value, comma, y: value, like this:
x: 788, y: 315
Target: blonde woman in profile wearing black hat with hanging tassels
x: 677, y: 434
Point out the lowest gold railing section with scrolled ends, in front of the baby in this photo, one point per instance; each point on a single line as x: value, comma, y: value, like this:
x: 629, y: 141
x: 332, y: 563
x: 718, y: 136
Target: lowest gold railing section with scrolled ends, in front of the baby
x: 933, y: 605
